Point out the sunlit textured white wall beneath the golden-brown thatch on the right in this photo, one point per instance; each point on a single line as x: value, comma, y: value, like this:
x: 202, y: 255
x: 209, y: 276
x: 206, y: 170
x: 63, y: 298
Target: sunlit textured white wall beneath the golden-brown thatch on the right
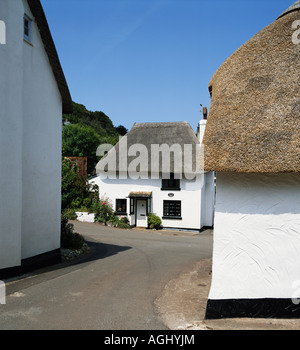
x: 256, y: 236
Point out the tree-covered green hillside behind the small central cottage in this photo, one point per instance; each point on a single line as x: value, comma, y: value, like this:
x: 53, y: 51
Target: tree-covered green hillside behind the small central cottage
x: 84, y: 131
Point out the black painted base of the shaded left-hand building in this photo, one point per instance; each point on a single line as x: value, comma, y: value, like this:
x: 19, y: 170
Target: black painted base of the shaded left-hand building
x: 31, y: 264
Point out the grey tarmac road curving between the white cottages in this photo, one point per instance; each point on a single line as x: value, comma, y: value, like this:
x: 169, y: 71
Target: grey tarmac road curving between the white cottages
x: 115, y: 288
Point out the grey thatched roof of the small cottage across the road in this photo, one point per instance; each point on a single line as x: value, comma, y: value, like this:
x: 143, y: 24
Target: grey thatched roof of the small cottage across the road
x: 172, y: 134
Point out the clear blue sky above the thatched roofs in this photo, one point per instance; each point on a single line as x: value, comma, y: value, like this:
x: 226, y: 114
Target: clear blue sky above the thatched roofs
x: 150, y: 60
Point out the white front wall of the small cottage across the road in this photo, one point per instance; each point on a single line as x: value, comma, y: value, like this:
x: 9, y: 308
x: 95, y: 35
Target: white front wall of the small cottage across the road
x: 190, y: 197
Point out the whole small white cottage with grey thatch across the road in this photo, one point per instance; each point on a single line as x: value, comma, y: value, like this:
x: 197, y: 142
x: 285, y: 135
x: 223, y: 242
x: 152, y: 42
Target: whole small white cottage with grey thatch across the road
x: 154, y: 168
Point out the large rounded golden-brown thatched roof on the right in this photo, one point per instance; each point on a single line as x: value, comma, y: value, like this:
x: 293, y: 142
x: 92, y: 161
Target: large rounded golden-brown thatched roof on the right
x: 254, y: 118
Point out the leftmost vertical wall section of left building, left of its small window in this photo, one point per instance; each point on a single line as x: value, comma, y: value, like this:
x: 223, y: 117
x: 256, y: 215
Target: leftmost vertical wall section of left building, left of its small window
x: 11, y: 88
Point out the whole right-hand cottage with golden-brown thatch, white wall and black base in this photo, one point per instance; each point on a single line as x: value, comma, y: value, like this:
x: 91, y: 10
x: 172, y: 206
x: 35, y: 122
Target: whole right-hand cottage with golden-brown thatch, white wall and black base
x: 252, y: 140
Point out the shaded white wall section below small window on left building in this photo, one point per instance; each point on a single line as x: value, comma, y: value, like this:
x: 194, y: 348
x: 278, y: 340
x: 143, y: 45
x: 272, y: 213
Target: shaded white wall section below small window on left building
x: 42, y: 113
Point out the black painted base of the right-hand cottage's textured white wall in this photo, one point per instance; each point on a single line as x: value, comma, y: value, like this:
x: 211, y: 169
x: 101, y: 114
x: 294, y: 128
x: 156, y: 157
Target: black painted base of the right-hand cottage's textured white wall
x: 252, y: 308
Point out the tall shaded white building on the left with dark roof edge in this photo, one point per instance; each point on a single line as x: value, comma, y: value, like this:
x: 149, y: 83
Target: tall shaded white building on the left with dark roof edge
x: 34, y: 94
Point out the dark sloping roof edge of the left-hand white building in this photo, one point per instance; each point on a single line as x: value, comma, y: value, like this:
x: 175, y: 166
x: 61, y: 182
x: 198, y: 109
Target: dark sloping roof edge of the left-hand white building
x: 40, y: 18
